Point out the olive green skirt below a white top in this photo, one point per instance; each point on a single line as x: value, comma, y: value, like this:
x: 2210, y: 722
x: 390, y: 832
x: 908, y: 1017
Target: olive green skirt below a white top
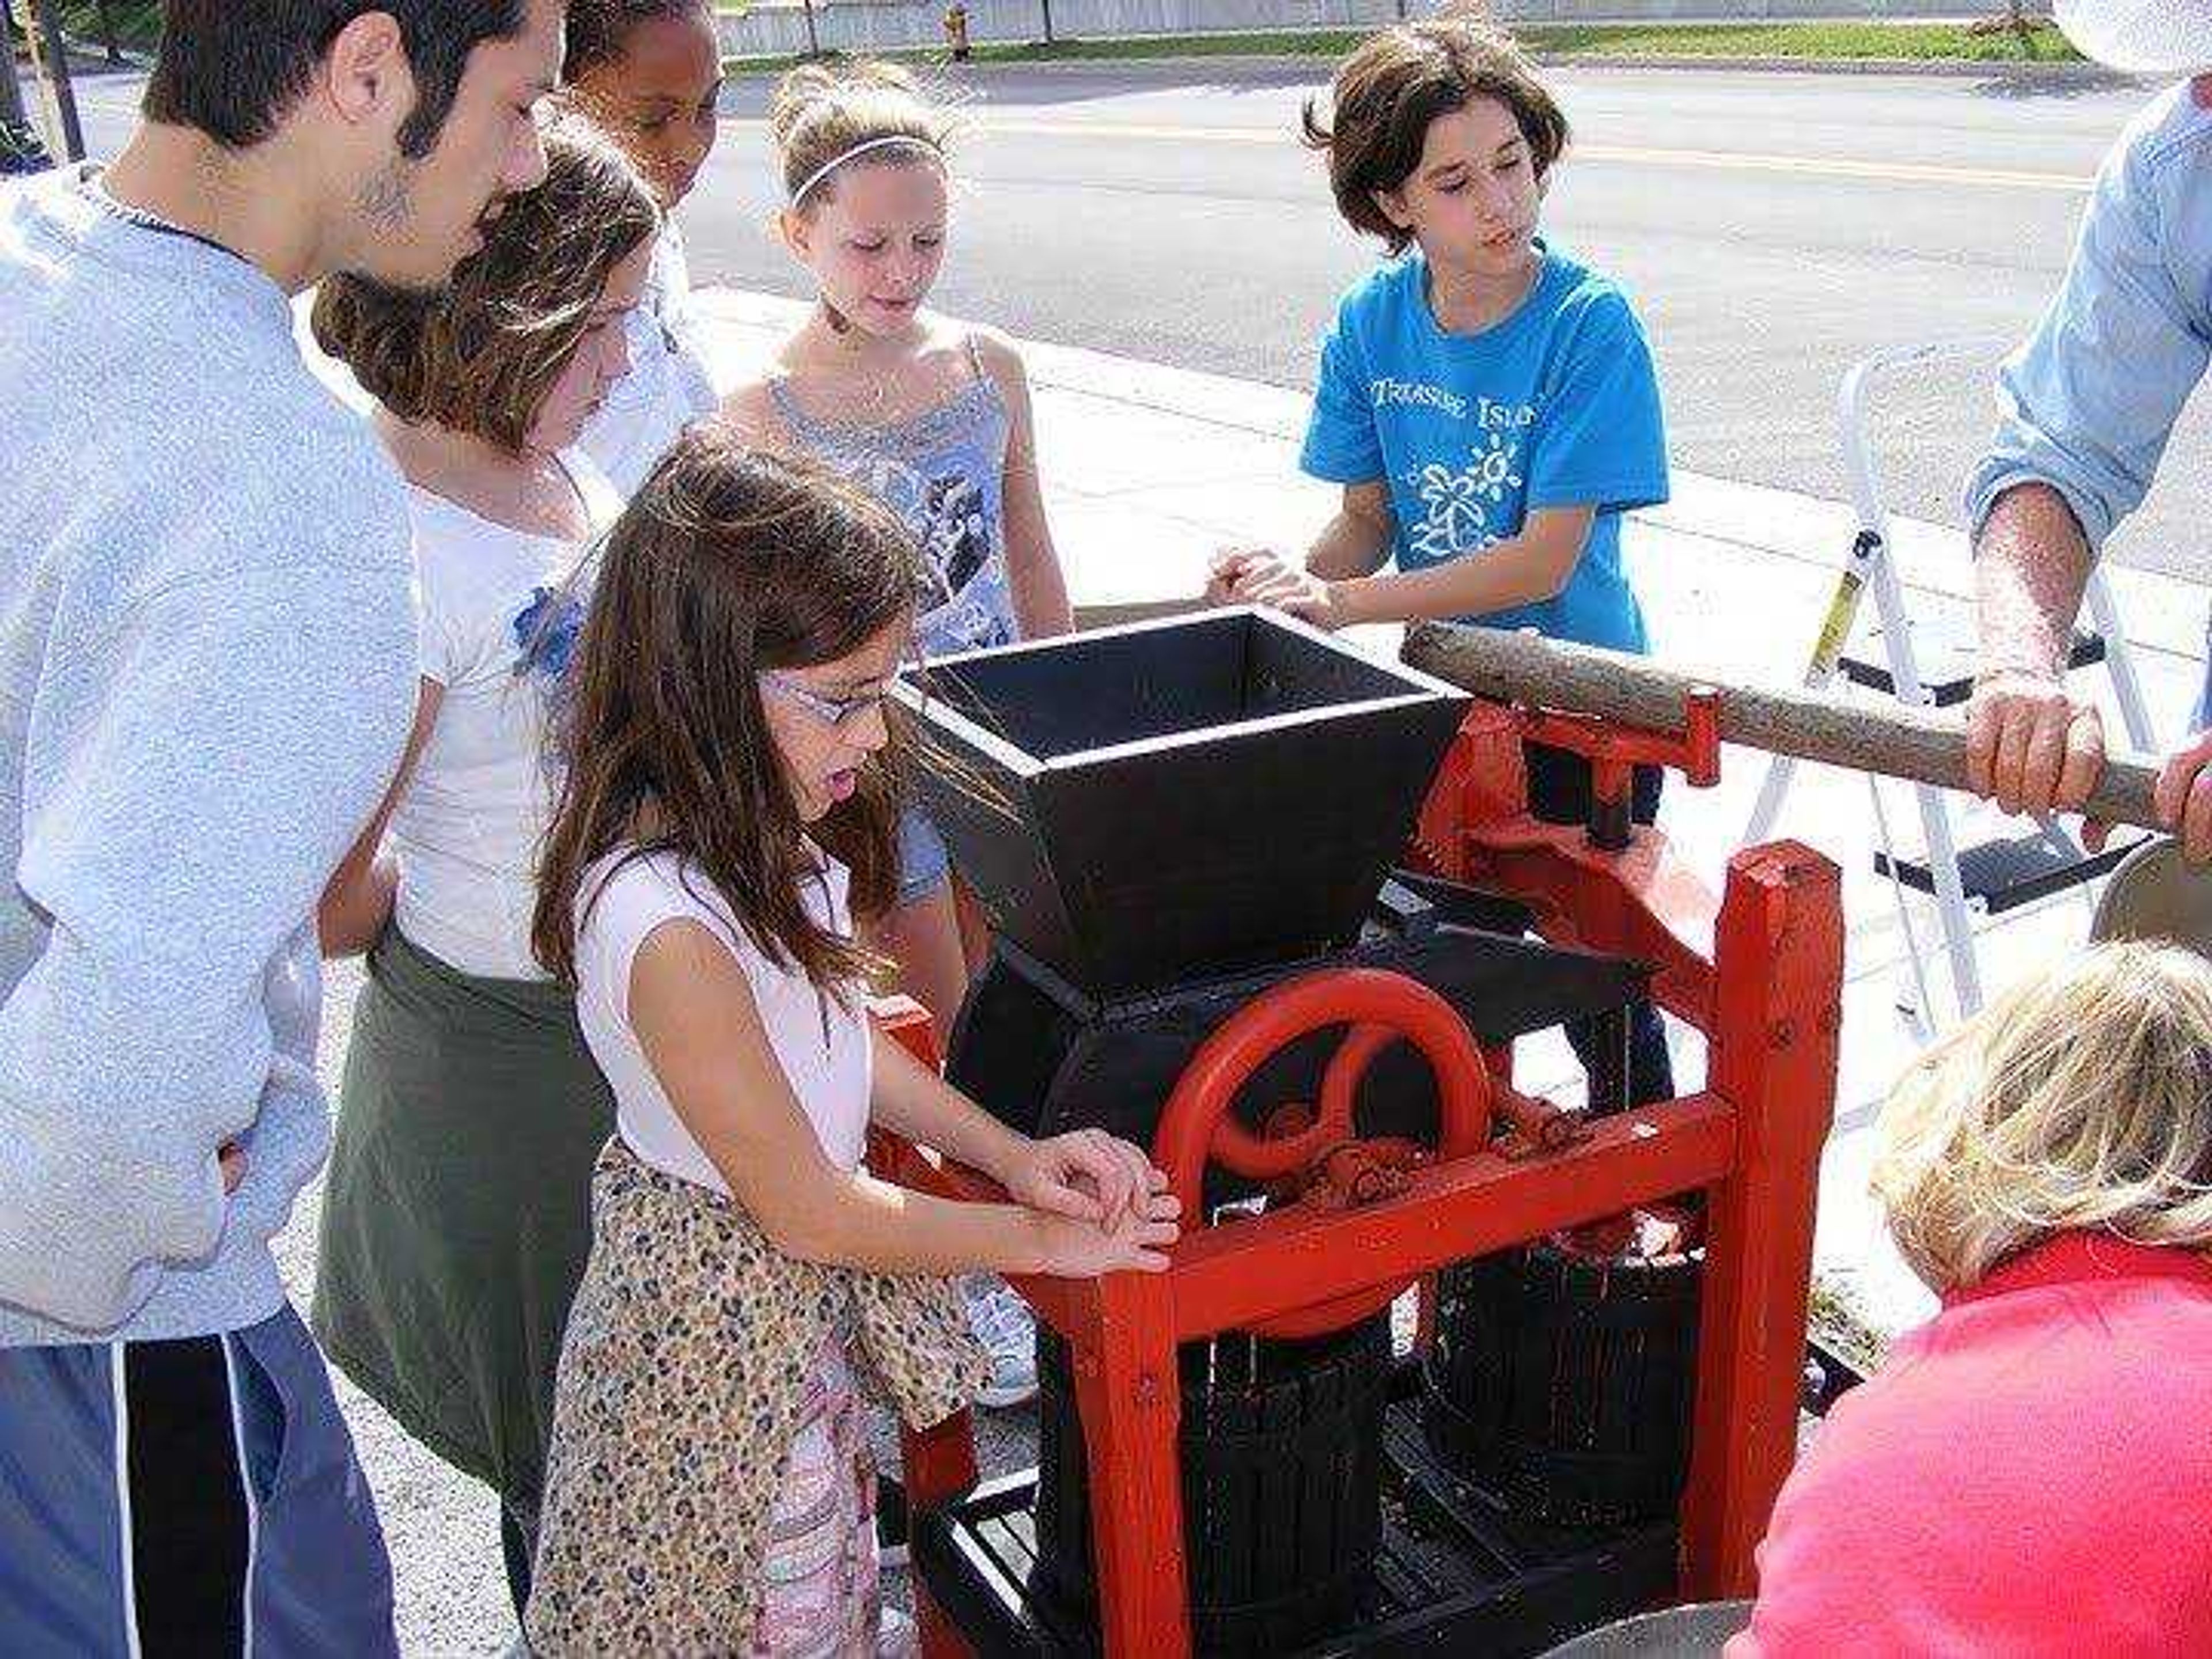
x: 457, y: 1213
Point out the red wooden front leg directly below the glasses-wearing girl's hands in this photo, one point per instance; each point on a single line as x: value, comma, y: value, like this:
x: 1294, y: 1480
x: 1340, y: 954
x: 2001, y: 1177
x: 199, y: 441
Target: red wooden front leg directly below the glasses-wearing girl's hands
x: 1129, y: 1399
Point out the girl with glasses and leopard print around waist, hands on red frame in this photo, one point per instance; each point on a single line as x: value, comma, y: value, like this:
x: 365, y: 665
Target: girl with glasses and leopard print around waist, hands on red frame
x: 729, y: 804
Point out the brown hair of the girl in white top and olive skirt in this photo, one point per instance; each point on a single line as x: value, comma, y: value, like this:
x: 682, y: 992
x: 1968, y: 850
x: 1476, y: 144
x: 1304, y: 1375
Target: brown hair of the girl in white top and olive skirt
x: 483, y: 355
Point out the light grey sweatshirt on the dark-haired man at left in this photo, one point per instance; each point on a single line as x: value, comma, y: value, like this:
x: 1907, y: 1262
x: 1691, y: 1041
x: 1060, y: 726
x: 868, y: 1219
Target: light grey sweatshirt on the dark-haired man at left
x: 207, y: 676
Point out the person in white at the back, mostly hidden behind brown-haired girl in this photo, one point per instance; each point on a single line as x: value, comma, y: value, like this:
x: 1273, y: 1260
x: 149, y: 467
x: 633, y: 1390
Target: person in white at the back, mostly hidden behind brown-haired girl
x: 649, y: 76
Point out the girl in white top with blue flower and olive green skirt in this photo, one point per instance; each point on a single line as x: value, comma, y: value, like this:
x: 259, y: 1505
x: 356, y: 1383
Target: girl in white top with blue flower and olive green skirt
x: 457, y: 1211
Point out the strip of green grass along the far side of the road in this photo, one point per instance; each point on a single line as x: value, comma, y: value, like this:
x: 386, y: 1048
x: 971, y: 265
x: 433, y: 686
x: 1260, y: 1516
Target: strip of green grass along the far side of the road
x: 1689, y: 41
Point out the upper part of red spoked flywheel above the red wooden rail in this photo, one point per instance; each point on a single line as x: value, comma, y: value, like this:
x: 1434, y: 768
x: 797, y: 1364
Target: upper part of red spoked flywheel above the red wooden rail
x: 1381, y: 1008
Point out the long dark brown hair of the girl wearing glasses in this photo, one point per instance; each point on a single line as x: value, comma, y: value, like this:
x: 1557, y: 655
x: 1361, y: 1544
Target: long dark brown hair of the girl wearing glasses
x: 727, y: 563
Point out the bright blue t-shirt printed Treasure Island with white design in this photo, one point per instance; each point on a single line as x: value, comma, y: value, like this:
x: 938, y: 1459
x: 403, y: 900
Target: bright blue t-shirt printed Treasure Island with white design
x: 1556, y: 406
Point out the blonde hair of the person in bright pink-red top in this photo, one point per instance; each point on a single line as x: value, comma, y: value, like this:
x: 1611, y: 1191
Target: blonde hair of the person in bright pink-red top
x: 2080, y: 1100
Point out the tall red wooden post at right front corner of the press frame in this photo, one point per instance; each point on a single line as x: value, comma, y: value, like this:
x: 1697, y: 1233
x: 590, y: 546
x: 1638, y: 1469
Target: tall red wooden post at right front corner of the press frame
x: 1780, y: 966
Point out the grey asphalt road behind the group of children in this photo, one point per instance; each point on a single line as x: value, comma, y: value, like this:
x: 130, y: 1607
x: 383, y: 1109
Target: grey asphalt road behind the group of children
x: 1773, y: 229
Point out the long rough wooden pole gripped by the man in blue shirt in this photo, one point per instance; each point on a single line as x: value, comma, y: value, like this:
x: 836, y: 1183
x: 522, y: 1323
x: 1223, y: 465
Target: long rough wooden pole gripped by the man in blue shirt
x: 1892, y: 740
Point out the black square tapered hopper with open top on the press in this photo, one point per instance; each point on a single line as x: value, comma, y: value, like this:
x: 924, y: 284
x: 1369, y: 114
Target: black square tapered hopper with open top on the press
x: 1200, y: 795
